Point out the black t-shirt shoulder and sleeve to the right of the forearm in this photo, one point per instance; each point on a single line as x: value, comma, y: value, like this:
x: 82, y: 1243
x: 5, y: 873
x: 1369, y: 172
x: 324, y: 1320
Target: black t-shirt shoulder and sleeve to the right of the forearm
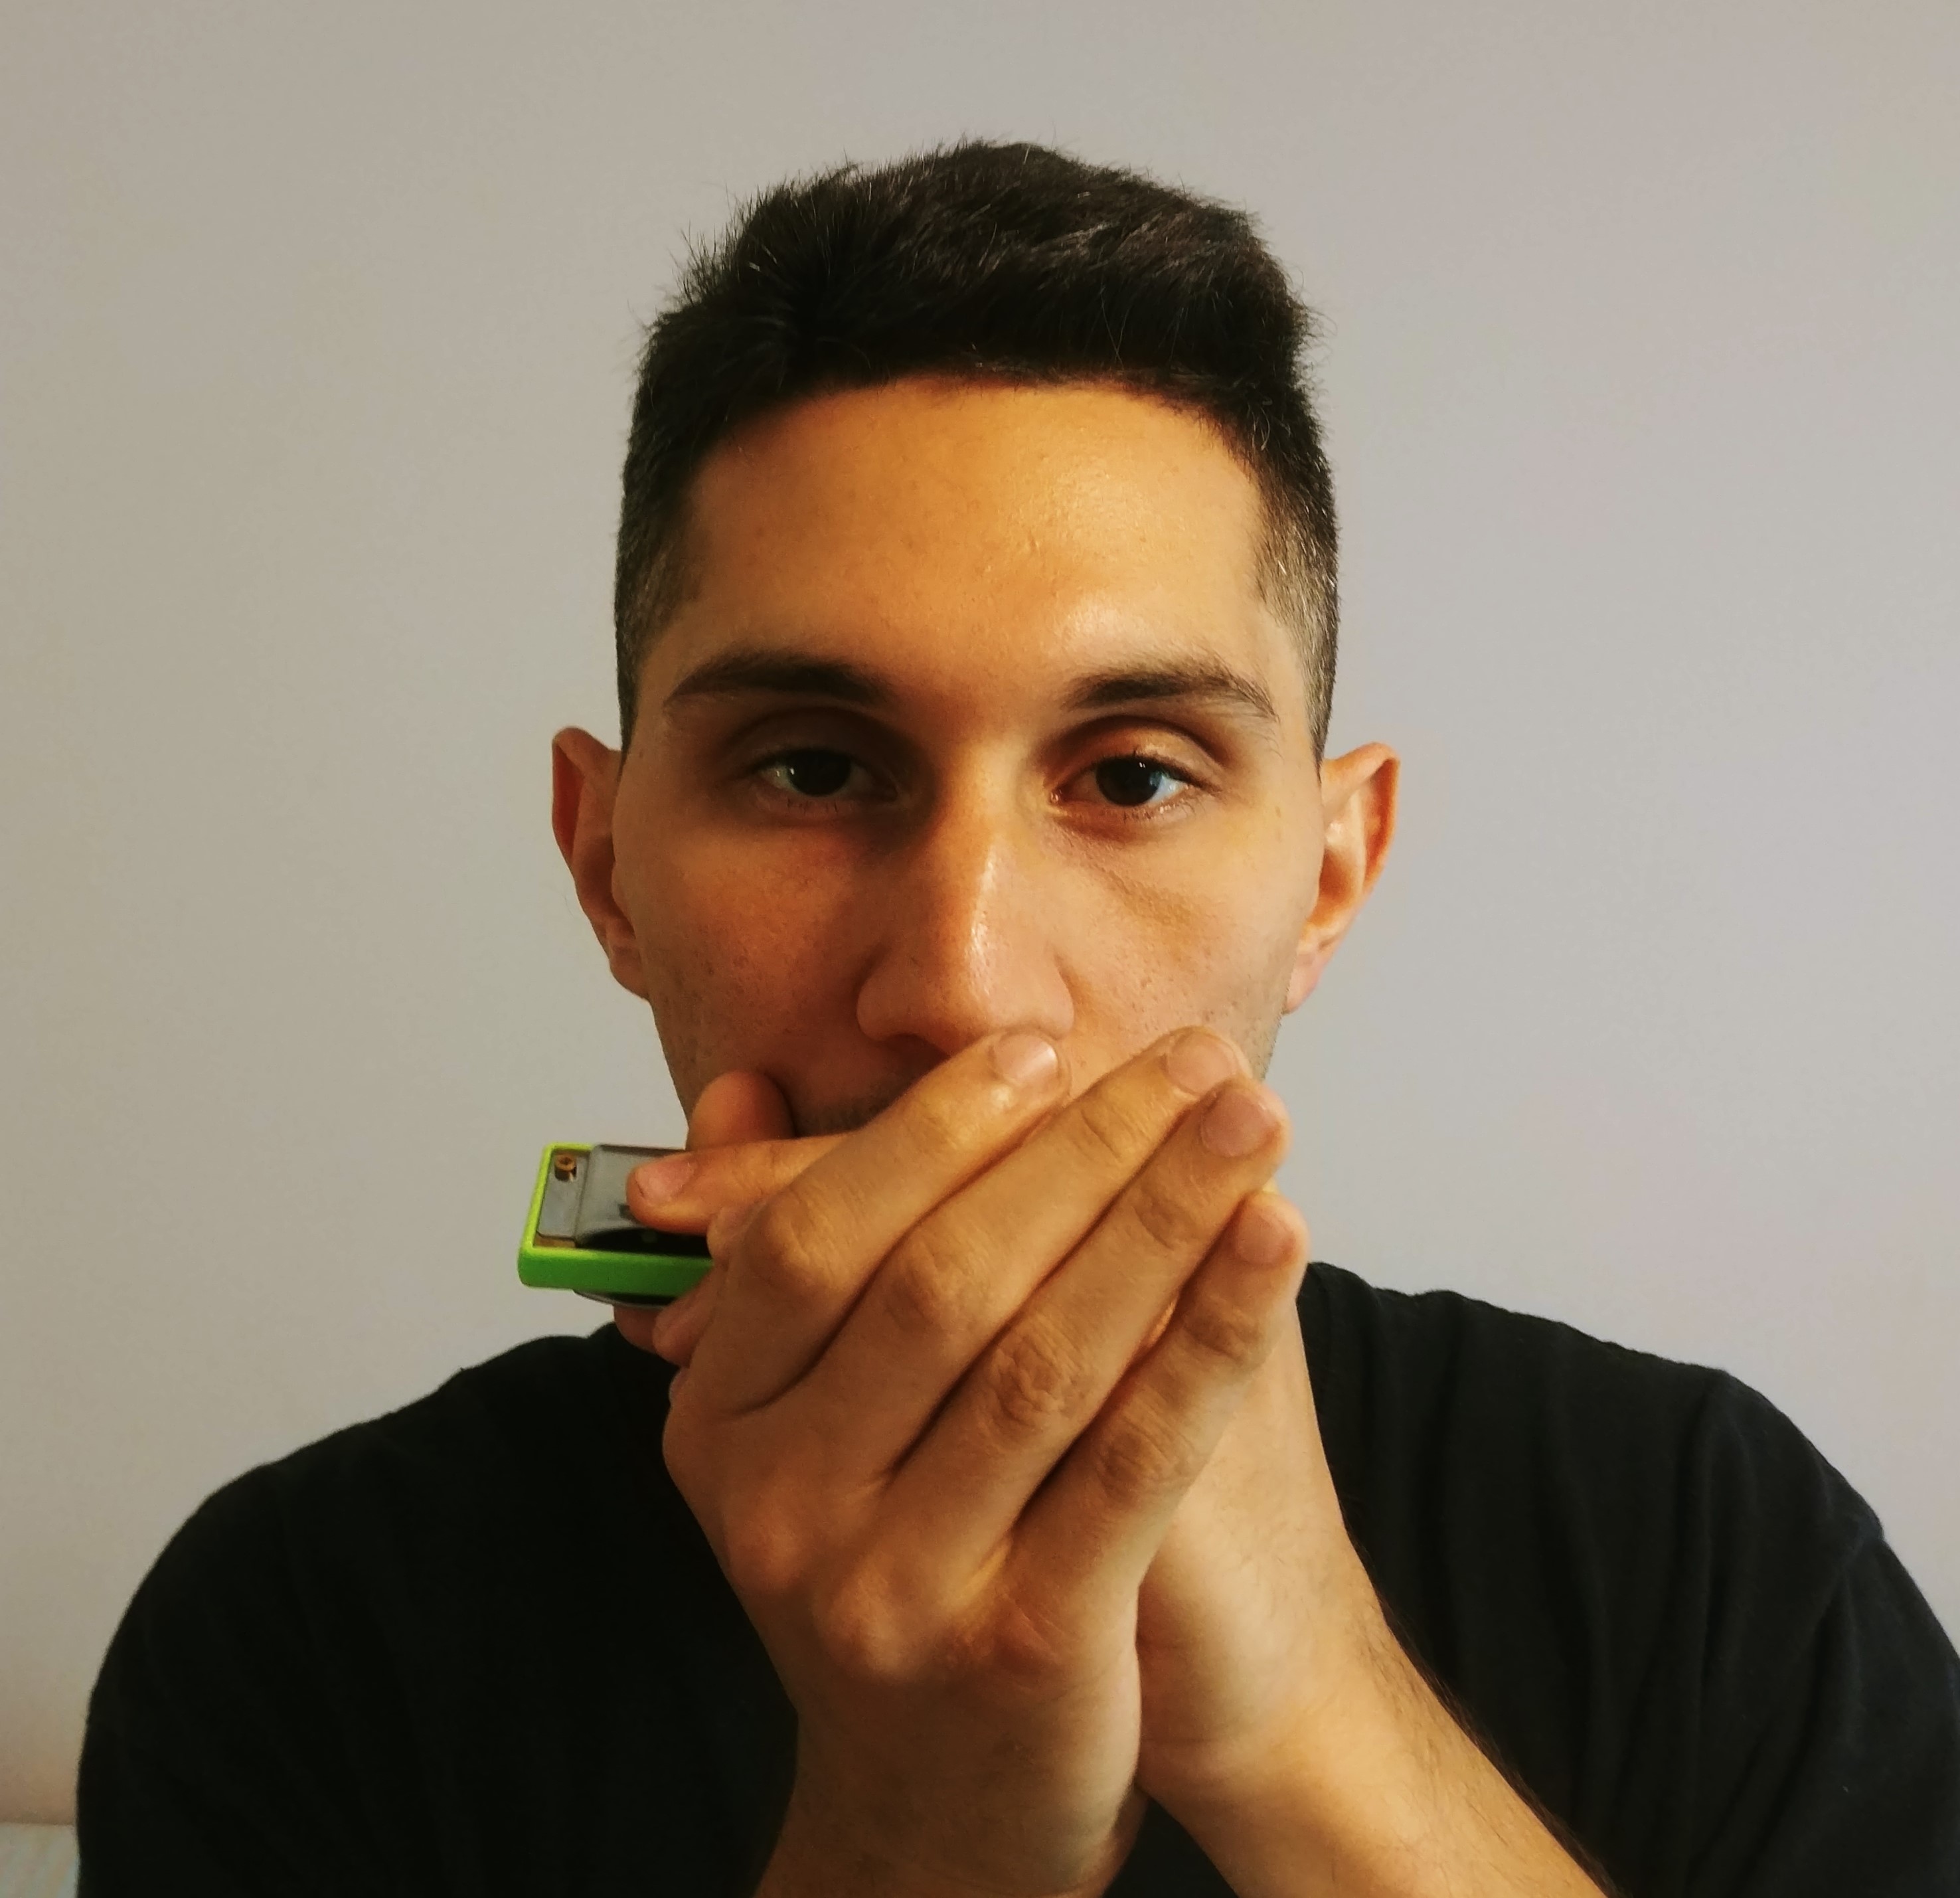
x: 1647, y: 1591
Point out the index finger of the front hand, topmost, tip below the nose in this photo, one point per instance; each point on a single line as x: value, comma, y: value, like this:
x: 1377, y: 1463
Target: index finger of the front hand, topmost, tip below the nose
x: 812, y: 1246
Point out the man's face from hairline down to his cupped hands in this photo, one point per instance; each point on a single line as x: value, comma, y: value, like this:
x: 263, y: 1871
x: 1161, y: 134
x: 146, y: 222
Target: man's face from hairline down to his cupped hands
x: 973, y: 719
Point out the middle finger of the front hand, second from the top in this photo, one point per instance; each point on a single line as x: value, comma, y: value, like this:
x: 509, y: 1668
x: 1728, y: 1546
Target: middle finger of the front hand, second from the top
x: 969, y: 1268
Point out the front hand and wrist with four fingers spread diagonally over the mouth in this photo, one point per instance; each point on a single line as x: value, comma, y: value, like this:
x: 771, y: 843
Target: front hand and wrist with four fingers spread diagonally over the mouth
x: 936, y: 1423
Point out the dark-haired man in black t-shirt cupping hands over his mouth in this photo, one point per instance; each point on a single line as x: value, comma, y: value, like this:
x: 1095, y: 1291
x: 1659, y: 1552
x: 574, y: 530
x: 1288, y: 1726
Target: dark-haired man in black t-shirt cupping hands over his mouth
x: 1022, y: 1517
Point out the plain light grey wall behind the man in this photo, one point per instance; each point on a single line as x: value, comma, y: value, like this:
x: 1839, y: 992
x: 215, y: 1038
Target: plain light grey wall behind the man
x: 317, y: 336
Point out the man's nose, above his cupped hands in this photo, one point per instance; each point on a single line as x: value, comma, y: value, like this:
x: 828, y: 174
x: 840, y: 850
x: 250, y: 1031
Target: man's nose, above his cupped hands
x: 971, y: 936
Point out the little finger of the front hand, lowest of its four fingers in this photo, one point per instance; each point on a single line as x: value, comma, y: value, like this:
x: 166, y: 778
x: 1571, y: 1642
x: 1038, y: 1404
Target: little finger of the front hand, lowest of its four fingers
x: 1097, y: 1526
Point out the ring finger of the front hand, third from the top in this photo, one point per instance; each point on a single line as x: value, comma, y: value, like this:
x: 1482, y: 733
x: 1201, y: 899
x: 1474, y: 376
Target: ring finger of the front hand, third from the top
x: 1050, y: 1374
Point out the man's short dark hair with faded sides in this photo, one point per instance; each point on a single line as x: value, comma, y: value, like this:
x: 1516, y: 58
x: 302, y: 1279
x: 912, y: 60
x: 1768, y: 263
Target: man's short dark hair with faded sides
x: 1008, y: 264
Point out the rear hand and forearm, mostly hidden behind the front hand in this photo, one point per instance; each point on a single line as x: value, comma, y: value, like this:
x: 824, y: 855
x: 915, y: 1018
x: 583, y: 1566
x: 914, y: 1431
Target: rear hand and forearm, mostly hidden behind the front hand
x: 1281, y: 1721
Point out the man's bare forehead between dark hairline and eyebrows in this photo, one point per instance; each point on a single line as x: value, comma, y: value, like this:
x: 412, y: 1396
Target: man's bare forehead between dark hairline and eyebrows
x: 932, y: 528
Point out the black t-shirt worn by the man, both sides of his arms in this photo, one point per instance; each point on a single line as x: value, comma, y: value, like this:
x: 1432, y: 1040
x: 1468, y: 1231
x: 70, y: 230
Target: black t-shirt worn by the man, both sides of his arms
x: 483, y: 1648
